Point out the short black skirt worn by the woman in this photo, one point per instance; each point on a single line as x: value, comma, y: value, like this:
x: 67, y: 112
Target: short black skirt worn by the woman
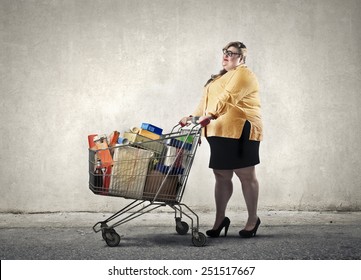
x: 229, y: 153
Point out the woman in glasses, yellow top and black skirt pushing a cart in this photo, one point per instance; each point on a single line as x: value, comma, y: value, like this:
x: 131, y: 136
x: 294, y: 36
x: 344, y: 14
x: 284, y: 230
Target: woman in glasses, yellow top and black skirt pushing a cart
x: 231, y: 101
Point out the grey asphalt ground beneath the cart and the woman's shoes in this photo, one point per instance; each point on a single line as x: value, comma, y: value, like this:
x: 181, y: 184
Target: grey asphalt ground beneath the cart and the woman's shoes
x: 281, y: 236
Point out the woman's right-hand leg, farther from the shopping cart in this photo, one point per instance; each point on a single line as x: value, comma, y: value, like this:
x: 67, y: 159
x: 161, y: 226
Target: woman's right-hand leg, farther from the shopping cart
x: 250, y: 189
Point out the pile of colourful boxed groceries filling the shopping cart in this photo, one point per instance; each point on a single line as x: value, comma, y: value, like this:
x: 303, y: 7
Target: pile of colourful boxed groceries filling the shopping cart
x: 141, y: 163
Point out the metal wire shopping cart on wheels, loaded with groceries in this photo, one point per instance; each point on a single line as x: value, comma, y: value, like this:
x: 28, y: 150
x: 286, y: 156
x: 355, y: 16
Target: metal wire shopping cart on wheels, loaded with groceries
x: 152, y: 173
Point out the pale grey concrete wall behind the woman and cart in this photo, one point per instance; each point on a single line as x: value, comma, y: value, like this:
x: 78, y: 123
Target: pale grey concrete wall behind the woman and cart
x: 70, y: 68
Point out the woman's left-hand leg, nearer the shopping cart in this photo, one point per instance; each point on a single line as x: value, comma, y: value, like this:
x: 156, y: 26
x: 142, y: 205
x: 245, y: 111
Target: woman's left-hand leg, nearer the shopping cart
x: 222, y: 193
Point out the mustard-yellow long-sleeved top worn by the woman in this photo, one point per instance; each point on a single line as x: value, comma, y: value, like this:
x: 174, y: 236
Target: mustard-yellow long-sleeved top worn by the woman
x: 232, y: 99
